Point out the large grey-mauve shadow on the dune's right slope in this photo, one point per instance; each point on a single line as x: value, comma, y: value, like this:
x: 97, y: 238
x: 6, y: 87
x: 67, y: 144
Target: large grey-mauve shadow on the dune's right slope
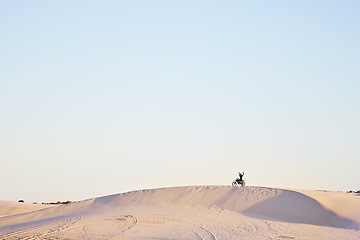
x: 296, y: 207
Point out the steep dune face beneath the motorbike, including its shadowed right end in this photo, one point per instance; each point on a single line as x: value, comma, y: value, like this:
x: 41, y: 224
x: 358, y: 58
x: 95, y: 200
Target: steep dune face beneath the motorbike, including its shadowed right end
x: 283, y: 205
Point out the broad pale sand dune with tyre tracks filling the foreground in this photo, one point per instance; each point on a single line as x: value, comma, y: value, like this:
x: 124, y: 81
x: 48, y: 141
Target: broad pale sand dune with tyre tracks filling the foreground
x: 204, y: 212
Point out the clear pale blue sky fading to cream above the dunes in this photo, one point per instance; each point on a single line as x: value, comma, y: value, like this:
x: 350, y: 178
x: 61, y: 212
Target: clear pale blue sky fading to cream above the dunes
x: 104, y: 97
